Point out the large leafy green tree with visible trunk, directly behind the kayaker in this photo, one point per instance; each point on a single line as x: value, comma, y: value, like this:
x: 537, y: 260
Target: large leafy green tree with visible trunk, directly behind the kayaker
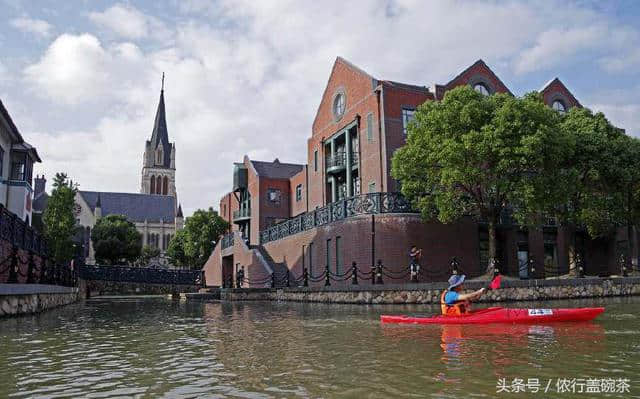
x: 482, y: 155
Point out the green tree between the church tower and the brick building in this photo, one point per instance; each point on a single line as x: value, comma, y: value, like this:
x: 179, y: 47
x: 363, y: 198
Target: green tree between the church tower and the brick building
x: 192, y: 246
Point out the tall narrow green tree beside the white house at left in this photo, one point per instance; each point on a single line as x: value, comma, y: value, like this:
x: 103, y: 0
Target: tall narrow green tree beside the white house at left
x: 59, y: 220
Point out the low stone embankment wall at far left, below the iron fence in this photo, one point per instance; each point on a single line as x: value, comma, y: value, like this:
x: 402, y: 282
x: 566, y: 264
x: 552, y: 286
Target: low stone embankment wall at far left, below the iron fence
x: 19, y: 299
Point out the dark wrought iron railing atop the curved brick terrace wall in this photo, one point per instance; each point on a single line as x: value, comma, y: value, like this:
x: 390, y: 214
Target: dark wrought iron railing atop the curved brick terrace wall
x: 365, y: 204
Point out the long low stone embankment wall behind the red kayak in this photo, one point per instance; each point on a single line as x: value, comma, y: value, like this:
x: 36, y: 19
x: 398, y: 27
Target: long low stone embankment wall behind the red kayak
x: 429, y: 293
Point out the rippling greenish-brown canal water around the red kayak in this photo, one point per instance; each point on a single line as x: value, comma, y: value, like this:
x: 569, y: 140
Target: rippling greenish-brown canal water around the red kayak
x: 155, y: 347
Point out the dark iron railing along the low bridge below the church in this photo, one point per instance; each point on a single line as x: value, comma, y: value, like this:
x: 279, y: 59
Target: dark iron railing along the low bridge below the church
x: 148, y: 275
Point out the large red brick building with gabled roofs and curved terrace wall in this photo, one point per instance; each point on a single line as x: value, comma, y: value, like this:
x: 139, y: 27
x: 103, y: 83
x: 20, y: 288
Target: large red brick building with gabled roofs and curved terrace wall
x: 342, y: 206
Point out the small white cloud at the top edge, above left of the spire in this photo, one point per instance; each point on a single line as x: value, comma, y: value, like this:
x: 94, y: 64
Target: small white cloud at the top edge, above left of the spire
x: 128, y: 22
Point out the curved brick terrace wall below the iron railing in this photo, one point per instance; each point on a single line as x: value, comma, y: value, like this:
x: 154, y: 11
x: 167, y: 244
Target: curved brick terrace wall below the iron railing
x: 393, y: 236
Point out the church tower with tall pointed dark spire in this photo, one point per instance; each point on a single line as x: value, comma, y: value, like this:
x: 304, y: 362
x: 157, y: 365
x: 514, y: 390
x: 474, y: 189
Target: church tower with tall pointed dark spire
x: 159, y: 162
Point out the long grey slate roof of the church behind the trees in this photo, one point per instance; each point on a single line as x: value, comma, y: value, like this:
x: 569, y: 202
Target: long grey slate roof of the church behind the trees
x: 136, y: 207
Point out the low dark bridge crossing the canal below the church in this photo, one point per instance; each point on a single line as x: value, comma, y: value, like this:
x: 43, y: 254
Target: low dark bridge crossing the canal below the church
x: 125, y: 280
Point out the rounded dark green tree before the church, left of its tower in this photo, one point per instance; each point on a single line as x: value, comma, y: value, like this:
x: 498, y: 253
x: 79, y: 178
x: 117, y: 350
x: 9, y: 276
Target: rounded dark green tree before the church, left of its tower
x: 116, y: 240
